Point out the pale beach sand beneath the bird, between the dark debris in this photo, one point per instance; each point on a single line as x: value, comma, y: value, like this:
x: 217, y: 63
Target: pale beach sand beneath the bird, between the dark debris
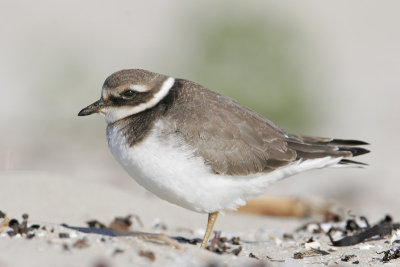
x: 52, y: 202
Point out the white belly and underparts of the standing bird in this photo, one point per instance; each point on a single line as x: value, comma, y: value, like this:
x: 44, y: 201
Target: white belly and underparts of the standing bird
x: 167, y: 167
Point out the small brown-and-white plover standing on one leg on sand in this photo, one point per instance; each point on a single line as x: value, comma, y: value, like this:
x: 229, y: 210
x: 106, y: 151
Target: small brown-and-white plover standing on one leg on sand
x: 200, y: 150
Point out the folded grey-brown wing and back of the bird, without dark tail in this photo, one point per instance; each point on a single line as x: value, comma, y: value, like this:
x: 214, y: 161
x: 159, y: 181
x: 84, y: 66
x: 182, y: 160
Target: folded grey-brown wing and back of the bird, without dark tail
x: 231, y: 139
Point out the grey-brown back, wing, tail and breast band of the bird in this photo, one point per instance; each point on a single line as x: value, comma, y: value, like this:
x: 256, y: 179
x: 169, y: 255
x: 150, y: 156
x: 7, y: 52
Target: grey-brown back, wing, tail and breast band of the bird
x: 232, y: 139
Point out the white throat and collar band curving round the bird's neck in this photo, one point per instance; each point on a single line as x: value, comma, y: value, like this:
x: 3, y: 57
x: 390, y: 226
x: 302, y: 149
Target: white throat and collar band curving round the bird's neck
x: 113, y: 114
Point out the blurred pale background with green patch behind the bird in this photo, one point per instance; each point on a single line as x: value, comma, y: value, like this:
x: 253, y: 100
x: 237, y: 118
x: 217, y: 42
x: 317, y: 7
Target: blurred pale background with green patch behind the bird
x: 318, y: 68
